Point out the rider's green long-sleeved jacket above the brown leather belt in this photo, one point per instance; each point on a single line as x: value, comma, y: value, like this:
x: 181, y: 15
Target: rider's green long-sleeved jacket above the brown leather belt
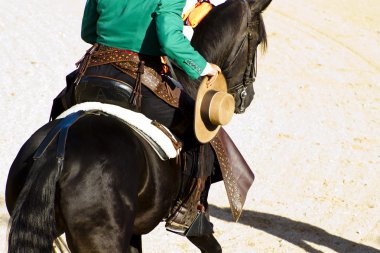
x: 151, y: 27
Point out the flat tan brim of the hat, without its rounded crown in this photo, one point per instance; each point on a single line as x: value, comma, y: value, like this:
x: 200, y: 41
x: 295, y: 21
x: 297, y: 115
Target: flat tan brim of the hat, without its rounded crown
x: 205, y: 131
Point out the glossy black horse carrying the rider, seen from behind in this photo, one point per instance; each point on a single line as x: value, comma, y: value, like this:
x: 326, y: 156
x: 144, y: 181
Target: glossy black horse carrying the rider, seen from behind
x: 112, y: 187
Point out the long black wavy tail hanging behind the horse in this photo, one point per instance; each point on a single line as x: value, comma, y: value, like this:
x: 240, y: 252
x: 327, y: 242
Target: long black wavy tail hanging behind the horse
x: 33, y: 218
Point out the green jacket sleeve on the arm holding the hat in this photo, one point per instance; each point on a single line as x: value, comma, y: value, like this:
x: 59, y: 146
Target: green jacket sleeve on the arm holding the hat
x: 172, y: 41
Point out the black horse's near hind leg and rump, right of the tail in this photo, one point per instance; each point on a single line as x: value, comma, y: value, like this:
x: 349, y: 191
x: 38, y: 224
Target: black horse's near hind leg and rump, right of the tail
x: 99, y: 186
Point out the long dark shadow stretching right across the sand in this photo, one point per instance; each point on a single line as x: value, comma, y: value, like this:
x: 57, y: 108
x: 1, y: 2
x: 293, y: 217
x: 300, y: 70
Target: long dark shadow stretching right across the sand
x: 295, y: 232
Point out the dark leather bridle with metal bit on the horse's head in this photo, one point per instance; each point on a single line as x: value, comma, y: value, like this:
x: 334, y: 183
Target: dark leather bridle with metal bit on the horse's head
x: 240, y: 89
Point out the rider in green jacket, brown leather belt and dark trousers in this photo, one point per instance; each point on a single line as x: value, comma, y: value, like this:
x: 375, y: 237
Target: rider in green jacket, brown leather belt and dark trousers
x: 128, y: 38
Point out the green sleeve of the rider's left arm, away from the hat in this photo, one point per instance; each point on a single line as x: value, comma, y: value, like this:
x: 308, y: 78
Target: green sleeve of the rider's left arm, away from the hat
x: 90, y: 18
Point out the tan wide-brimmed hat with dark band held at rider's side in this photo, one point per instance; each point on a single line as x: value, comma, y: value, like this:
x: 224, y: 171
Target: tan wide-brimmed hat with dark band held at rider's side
x: 213, y: 107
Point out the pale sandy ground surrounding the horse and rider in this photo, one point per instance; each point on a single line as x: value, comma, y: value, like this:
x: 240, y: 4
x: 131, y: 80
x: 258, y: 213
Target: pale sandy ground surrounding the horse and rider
x: 312, y: 135
